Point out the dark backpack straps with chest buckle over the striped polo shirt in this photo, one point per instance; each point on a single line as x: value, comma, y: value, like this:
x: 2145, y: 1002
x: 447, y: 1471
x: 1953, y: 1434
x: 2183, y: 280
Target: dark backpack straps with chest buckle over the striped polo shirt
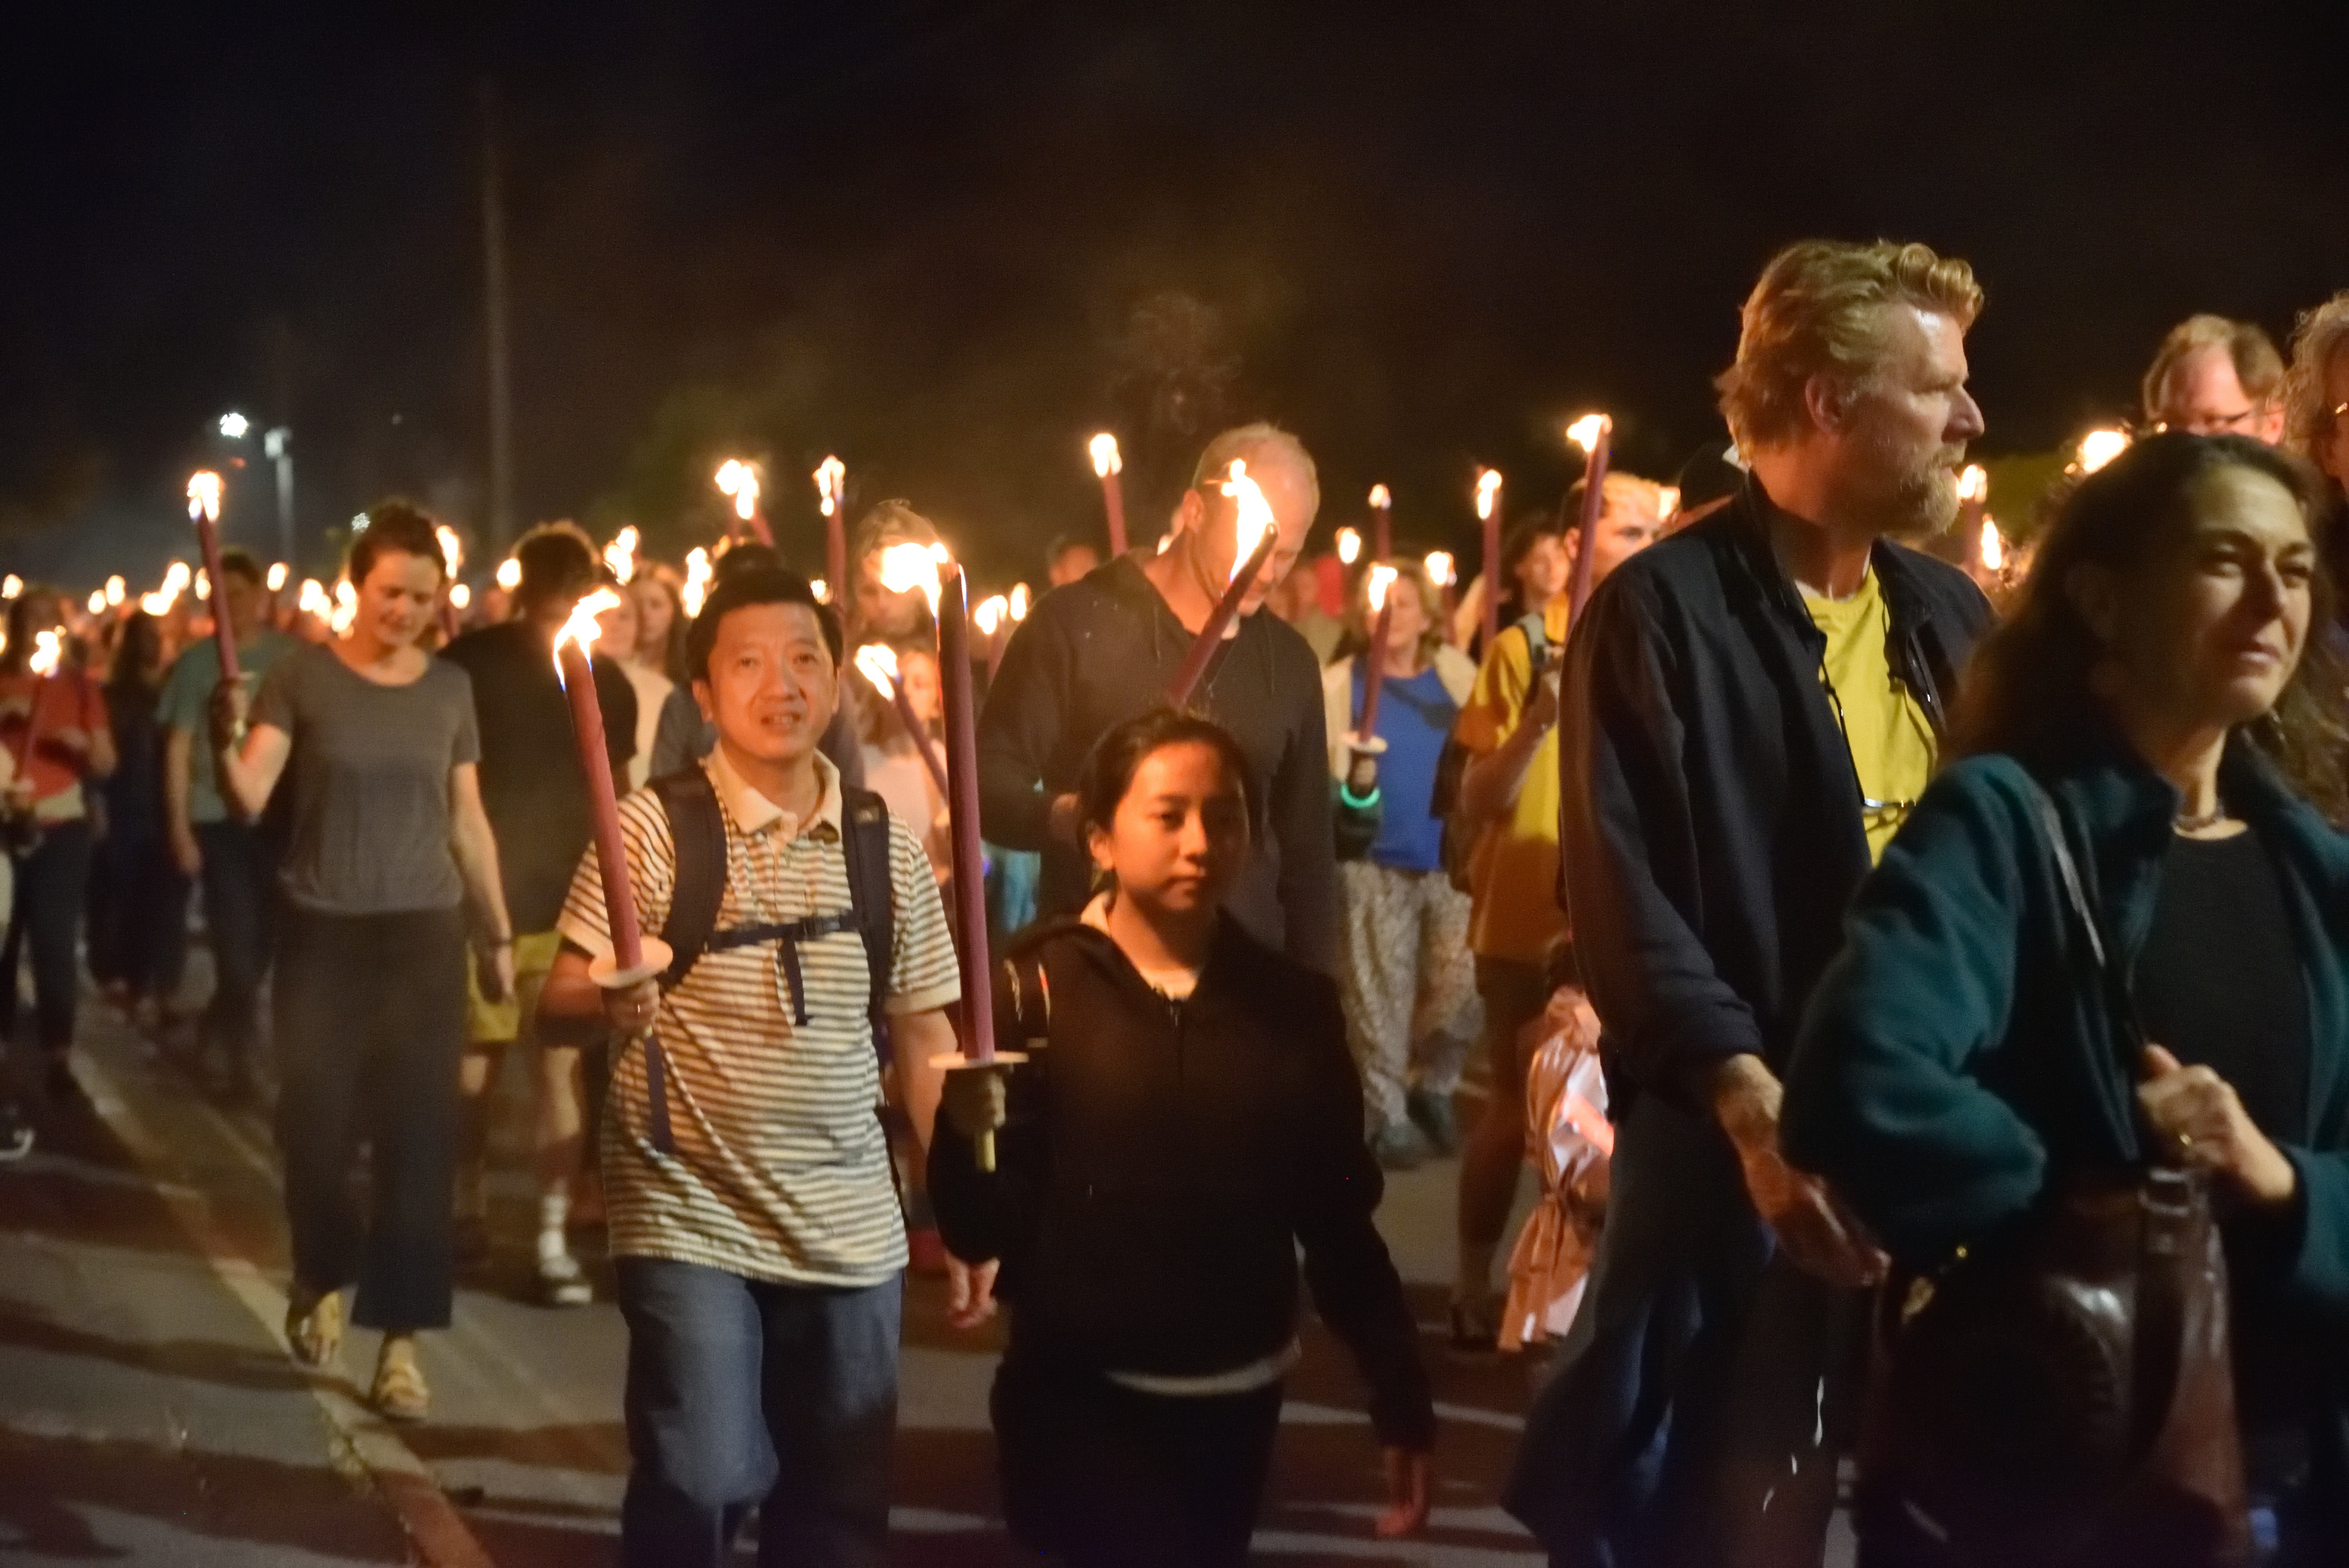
x: 699, y: 832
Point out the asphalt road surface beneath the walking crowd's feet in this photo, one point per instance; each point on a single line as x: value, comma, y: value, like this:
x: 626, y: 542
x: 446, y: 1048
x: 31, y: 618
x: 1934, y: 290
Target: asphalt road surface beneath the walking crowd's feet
x: 149, y: 1412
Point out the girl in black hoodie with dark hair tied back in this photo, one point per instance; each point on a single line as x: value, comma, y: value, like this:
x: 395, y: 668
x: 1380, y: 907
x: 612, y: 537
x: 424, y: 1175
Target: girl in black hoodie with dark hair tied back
x: 1187, y: 1121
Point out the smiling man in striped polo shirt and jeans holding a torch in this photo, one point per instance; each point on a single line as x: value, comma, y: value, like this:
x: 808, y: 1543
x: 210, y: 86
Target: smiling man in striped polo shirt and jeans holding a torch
x: 753, y: 1210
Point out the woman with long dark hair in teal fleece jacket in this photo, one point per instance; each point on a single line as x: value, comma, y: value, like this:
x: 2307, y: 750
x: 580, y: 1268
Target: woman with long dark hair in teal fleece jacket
x: 2111, y: 945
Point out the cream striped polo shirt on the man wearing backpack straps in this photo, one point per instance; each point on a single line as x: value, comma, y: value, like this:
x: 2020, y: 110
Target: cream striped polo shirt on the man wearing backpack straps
x: 781, y: 1168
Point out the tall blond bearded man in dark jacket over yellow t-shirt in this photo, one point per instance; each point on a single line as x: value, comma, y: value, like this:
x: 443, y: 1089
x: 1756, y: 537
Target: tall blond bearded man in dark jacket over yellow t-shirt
x: 1751, y: 708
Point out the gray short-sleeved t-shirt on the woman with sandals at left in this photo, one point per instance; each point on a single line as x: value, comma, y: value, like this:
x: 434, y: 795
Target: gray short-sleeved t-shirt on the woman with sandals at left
x: 370, y: 780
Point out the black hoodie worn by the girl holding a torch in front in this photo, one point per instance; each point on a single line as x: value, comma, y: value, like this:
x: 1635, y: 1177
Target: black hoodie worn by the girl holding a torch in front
x: 1166, y: 1161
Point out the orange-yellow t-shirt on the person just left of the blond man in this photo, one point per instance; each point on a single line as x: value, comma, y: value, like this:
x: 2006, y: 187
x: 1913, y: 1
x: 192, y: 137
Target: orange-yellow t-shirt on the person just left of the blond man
x: 1514, y: 870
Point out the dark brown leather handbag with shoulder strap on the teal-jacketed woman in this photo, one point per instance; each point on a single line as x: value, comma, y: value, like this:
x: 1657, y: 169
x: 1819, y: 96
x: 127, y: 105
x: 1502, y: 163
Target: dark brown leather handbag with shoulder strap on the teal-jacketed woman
x: 2064, y: 1395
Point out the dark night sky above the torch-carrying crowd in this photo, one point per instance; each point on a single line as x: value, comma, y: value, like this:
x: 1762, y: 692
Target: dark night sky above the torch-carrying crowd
x: 953, y: 241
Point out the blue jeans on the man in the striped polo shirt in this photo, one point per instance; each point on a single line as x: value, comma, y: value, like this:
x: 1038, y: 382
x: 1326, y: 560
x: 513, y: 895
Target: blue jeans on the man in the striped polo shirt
x: 758, y: 1395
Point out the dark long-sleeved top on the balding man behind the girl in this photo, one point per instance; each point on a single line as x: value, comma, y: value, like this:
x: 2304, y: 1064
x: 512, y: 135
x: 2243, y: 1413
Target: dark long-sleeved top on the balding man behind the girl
x: 1101, y: 651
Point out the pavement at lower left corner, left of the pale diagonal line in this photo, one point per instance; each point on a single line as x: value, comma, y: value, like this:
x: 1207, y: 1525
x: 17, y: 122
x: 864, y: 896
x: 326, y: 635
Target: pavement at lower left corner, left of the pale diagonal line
x: 147, y: 1414
